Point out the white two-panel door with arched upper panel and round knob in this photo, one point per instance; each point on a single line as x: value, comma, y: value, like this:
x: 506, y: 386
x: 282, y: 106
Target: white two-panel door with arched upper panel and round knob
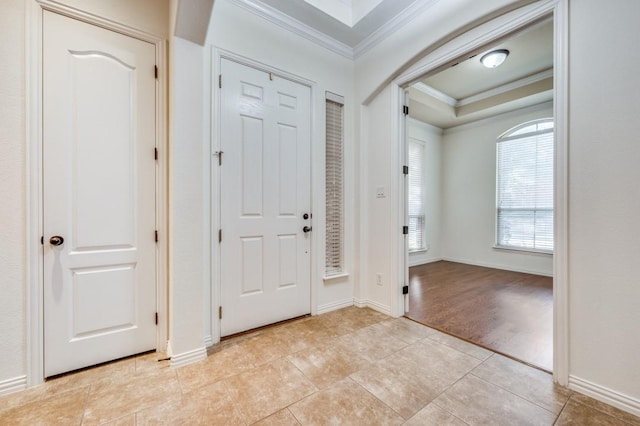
x: 99, y: 194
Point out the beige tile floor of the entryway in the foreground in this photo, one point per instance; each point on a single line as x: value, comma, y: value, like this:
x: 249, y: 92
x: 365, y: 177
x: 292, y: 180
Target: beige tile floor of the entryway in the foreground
x: 349, y: 367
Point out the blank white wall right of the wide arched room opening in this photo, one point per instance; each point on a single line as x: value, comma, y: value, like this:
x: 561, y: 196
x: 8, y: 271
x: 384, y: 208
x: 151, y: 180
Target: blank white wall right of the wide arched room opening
x: 604, y: 195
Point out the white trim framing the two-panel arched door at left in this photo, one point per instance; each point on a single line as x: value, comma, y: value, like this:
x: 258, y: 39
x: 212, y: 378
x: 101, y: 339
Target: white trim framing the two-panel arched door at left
x: 34, y: 229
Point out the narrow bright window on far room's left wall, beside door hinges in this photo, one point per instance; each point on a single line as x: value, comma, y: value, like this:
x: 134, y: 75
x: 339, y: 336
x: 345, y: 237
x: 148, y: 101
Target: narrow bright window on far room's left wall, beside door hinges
x: 416, y: 195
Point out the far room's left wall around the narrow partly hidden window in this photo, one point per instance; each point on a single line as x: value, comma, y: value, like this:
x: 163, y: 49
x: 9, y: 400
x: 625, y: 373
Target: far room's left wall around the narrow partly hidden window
x: 431, y: 137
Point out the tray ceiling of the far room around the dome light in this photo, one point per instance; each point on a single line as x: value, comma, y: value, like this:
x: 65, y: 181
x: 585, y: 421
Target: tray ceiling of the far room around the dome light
x: 469, y: 92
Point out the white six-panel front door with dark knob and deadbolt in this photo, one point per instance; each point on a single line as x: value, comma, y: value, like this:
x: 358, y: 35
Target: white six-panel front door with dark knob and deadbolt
x: 265, y: 193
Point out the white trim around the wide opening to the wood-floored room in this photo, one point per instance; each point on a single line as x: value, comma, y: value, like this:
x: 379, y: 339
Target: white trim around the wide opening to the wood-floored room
x: 460, y: 47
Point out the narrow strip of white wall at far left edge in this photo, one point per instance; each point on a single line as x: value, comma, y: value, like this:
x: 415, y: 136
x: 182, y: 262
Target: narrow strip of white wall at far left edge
x: 12, y: 191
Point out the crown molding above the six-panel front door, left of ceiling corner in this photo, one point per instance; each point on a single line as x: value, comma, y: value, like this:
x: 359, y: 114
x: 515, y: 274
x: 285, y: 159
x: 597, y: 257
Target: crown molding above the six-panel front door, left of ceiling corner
x: 293, y: 25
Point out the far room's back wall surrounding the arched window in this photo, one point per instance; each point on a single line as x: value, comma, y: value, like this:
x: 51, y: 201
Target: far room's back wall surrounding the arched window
x: 469, y: 195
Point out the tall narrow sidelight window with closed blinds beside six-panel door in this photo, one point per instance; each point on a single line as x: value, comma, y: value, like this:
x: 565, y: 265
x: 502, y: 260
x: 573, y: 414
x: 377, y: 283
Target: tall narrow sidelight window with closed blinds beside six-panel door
x: 334, y: 185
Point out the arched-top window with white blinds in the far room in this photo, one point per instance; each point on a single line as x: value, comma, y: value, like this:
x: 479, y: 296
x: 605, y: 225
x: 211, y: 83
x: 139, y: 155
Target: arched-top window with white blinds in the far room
x: 525, y: 187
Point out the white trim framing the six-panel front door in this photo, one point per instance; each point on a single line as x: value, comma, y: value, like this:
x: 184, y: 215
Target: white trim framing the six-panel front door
x: 217, y: 54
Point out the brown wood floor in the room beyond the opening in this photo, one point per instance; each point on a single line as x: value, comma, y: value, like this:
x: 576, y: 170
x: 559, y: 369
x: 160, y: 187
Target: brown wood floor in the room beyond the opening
x: 507, y: 312
